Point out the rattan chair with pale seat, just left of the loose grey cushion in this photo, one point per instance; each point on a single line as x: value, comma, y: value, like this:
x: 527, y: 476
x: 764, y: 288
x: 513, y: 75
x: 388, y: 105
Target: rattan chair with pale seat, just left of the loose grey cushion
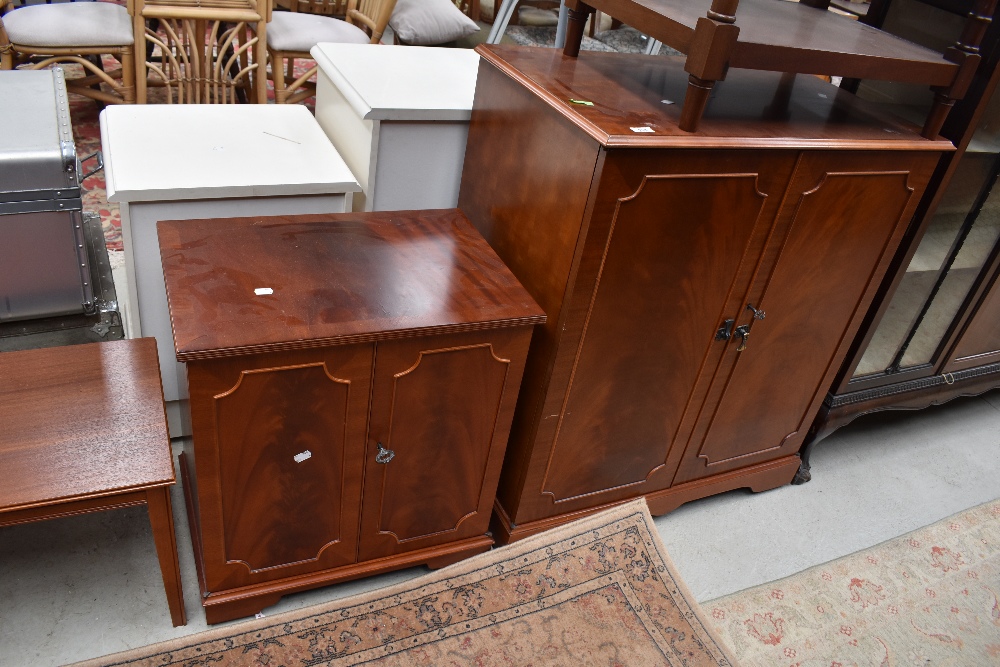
x: 291, y: 35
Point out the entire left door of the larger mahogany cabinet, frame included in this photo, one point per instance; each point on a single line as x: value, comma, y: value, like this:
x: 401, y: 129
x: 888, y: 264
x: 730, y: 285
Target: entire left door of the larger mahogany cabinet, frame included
x: 642, y: 328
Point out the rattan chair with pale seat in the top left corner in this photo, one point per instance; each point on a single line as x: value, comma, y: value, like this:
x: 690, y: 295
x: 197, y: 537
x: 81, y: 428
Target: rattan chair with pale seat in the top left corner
x: 38, y: 36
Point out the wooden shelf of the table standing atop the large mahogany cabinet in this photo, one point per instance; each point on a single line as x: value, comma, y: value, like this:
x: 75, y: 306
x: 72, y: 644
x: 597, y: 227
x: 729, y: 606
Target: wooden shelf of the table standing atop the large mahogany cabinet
x: 790, y: 36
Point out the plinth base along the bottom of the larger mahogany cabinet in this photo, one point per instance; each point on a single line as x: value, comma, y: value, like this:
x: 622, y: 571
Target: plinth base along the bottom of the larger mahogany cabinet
x: 757, y: 478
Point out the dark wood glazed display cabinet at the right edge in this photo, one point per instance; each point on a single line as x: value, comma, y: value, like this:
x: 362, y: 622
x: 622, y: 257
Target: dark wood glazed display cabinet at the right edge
x: 933, y: 333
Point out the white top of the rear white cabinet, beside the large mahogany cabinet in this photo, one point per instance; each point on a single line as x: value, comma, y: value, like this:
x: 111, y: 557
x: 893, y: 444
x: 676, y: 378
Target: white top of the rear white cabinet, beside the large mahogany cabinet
x: 383, y: 82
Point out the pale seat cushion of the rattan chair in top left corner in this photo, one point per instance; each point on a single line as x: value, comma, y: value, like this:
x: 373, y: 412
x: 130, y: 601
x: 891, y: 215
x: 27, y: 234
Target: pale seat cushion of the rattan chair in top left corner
x: 70, y: 24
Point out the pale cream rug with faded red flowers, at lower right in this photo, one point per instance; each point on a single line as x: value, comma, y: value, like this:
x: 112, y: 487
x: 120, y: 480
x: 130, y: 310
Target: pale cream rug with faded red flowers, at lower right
x: 931, y: 597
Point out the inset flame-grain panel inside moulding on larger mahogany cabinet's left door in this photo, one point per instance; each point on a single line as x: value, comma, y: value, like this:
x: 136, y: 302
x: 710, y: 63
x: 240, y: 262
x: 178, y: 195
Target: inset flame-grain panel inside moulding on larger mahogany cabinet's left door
x: 670, y: 266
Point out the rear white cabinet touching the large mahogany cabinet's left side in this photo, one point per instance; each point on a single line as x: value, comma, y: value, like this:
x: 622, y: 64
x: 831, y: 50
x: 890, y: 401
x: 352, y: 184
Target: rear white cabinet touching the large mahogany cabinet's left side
x: 399, y: 115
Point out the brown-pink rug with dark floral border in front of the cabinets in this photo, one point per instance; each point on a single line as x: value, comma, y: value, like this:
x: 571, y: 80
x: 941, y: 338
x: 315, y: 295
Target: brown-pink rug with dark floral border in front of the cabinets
x: 597, y: 592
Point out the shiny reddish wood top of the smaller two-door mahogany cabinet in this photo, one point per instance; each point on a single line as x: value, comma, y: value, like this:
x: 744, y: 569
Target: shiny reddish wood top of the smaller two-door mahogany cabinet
x: 246, y: 285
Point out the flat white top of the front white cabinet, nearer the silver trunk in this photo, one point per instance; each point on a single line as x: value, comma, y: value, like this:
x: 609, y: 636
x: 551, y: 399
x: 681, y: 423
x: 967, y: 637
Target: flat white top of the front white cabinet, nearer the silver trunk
x: 158, y: 152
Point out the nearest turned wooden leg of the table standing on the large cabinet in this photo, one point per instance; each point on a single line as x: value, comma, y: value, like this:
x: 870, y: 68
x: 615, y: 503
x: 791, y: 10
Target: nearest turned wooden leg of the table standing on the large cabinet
x: 715, y: 36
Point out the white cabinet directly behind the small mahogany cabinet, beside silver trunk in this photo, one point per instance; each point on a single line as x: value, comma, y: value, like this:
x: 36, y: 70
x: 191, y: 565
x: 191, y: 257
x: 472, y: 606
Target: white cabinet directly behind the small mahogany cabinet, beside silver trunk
x: 179, y: 162
